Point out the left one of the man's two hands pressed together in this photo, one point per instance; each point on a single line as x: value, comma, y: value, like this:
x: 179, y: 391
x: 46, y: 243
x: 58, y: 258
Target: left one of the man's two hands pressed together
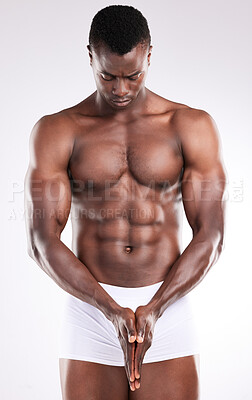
x: 124, y: 323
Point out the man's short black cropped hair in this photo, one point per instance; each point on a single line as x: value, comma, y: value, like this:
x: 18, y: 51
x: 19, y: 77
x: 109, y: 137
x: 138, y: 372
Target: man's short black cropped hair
x: 119, y: 27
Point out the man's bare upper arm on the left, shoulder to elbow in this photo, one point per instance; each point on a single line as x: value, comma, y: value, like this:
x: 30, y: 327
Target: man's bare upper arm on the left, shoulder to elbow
x: 47, y: 185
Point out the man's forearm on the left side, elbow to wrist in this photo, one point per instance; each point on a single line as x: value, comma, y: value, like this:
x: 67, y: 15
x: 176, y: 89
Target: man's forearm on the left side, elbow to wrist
x: 60, y: 263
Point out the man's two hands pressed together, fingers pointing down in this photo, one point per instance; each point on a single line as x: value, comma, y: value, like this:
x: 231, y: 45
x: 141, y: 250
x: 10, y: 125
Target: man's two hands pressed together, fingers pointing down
x: 135, y: 333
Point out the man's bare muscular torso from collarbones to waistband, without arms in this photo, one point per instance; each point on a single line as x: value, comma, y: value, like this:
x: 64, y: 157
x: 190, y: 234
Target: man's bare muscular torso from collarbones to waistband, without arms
x: 126, y: 197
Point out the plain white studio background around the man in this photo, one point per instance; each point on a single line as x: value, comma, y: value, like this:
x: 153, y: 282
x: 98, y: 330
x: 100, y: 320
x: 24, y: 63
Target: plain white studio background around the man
x: 201, y: 57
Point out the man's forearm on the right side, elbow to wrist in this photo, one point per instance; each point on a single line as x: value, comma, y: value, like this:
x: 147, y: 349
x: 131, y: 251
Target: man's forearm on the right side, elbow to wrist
x: 187, y: 272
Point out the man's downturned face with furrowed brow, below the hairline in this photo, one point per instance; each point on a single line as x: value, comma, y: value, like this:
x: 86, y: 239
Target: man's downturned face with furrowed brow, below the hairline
x: 120, y: 79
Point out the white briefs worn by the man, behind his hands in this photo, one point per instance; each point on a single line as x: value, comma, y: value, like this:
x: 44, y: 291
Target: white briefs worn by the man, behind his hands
x: 86, y: 334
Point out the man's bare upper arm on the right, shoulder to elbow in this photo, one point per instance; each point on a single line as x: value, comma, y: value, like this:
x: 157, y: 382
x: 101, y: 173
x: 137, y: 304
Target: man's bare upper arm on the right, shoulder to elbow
x: 204, y: 178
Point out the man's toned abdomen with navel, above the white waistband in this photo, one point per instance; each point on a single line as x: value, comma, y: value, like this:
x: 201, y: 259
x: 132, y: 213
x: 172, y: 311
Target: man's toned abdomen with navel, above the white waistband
x: 123, y: 251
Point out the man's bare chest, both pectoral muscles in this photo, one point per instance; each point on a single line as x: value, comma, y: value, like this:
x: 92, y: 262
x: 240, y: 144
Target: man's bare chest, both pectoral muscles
x: 146, y: 153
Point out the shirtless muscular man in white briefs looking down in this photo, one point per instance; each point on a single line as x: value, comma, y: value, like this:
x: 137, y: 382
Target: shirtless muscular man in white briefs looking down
x: 126, y: 160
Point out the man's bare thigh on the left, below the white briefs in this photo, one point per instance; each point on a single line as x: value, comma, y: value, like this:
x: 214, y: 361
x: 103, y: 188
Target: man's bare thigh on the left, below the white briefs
x: 84, y: 380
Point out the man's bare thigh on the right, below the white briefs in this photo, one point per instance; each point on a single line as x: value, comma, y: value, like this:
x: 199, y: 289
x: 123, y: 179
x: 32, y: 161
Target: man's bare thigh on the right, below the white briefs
x: 175, y: 379
